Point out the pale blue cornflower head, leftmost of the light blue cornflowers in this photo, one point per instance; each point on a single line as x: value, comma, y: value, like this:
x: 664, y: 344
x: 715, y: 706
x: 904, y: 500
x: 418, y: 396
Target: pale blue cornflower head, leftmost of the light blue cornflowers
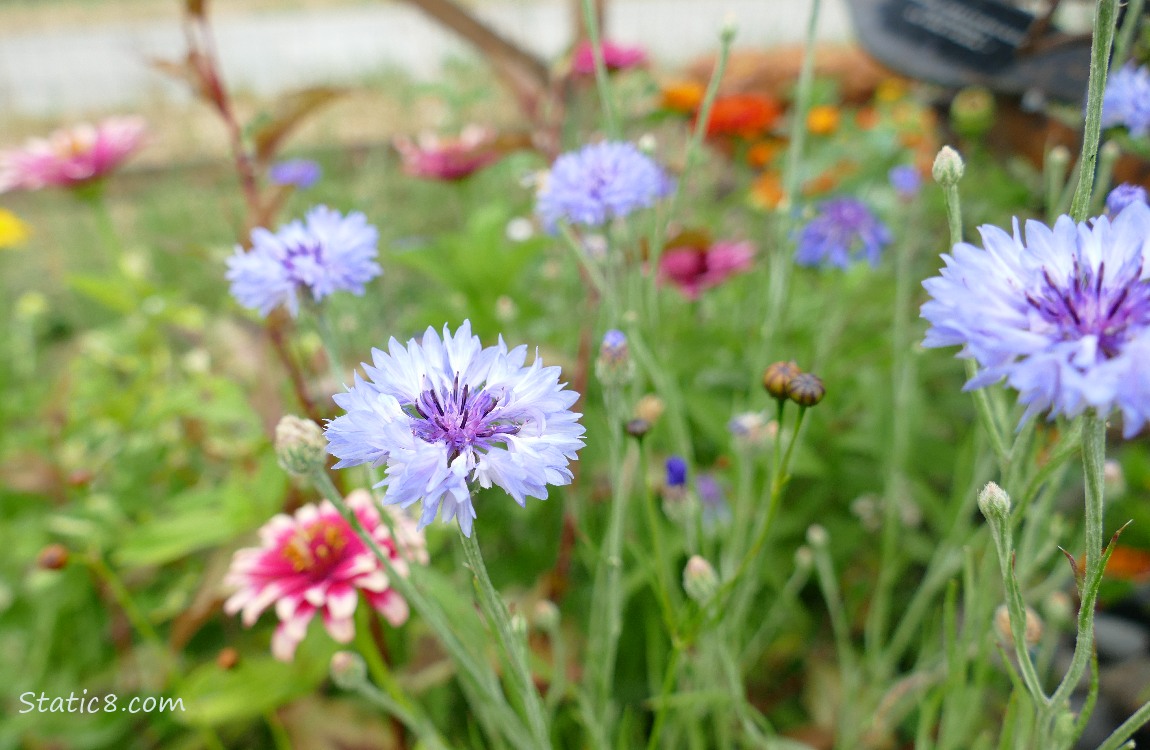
x: 325, y: 254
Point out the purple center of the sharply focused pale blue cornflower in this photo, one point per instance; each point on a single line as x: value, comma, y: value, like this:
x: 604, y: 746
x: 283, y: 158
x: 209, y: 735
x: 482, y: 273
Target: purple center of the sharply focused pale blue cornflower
x: 461, y: 418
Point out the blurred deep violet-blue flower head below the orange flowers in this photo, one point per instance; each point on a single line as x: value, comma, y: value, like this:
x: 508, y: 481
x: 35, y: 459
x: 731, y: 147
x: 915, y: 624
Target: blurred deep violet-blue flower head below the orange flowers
x: 844, y: 231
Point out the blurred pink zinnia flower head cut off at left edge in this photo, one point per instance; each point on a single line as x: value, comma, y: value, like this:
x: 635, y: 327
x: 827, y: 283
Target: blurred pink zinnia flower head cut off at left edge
x: 72, y: 157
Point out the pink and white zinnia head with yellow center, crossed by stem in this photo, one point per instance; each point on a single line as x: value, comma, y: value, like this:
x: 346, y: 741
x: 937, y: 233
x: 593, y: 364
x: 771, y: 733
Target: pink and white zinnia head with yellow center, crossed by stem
x: 315, y: 562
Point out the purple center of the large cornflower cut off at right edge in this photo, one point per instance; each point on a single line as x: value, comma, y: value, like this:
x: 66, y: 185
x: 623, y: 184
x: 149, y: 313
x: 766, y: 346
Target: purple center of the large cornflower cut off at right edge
x: 1091, y: 308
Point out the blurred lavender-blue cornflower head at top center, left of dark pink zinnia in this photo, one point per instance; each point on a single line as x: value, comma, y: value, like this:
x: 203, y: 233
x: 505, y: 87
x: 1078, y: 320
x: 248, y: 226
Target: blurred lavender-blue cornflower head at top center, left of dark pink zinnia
x: 599, y: 183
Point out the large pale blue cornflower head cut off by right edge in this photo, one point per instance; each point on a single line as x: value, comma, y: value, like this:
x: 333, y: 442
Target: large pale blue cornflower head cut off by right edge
x: 1063, y: 316
